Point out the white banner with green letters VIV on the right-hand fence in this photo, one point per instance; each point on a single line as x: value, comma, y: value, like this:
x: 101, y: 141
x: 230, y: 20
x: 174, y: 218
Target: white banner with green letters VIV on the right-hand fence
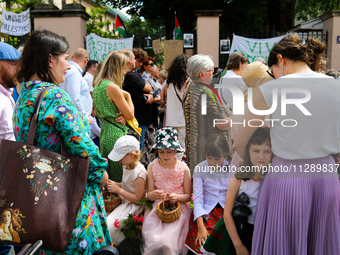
x: 254, y: 48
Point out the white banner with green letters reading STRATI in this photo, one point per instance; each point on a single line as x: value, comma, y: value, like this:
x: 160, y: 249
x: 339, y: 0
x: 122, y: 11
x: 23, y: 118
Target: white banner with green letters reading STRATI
x: 98, y: 47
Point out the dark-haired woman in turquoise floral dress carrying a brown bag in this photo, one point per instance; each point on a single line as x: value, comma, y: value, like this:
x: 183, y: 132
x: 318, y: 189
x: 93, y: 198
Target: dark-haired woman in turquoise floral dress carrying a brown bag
x: 44, y: 63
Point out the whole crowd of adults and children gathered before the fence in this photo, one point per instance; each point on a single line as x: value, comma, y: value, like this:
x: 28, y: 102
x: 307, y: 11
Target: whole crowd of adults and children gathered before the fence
x: 185, y: 148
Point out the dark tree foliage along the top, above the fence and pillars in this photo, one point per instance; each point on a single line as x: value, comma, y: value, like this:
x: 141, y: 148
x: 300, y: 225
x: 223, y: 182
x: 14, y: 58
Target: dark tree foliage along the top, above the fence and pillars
x: 238, y: 15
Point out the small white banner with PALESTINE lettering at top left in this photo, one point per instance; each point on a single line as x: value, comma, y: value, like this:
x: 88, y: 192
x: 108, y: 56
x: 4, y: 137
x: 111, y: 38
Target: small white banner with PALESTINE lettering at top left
x: 16, y: 24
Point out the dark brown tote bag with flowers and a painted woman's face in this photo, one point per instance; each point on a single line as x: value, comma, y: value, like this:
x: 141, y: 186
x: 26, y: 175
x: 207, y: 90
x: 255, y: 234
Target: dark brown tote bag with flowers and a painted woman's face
x: 40, y: 191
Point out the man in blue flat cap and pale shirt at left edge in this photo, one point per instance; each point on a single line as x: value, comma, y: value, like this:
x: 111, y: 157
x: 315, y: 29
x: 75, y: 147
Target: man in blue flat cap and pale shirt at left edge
x: 9, y: 58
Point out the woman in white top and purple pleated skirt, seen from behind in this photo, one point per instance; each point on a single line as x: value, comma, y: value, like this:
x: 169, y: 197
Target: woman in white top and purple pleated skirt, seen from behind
x: 298, y: 208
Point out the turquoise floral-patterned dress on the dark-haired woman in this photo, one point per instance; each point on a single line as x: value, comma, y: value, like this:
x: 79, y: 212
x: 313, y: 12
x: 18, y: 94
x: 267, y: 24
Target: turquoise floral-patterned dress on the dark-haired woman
x: 60, y: 119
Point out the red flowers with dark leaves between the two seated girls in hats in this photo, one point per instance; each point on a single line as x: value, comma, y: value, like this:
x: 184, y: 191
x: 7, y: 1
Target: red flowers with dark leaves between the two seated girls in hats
x: 132, y: 225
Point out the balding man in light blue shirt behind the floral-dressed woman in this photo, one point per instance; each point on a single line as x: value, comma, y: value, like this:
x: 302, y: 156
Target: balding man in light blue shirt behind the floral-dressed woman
x: 76, y: 86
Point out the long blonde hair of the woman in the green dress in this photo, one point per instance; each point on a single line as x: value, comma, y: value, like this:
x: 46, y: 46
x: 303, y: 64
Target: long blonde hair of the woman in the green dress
x: 113, y: 68
